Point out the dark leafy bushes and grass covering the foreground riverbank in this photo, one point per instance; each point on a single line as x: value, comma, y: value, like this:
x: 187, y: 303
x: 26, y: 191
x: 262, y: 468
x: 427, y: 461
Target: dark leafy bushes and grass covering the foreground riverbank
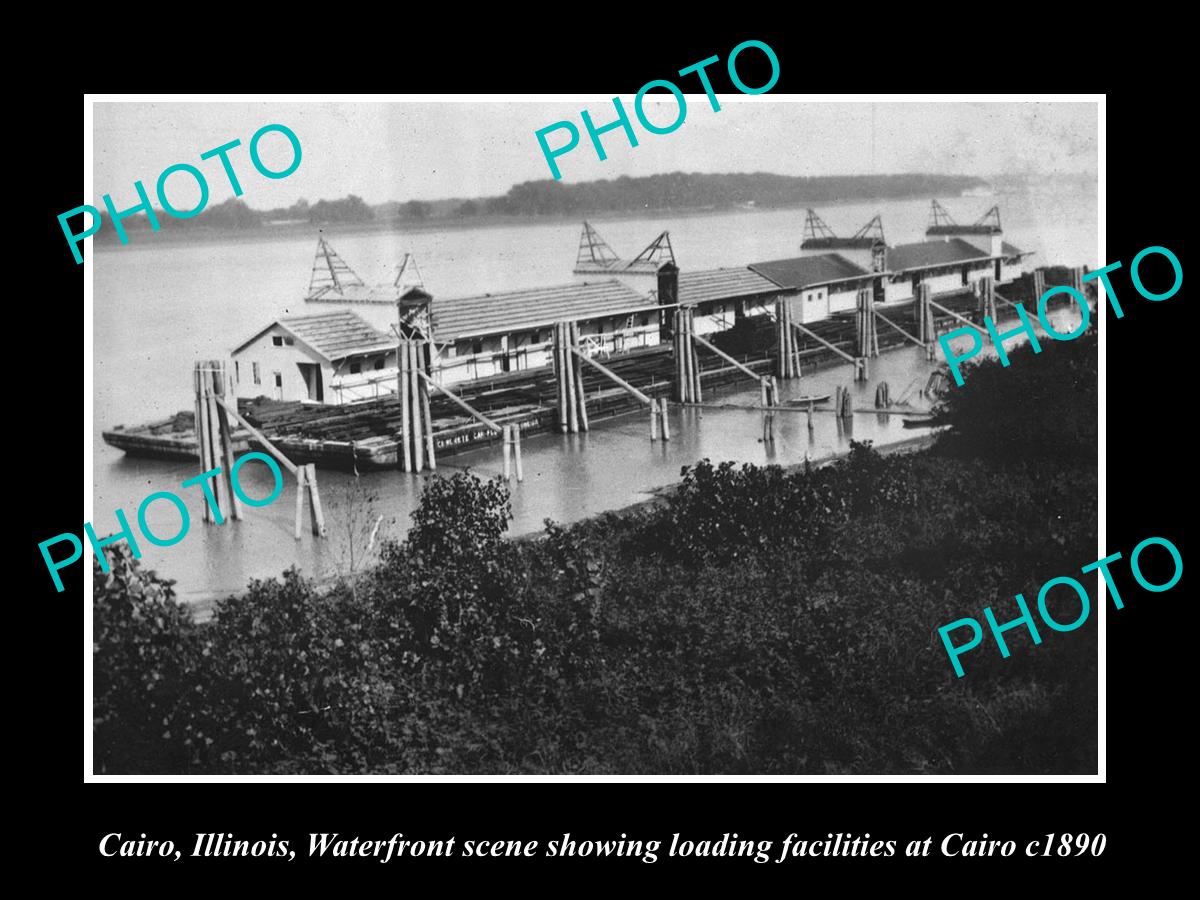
x: 757, y: 621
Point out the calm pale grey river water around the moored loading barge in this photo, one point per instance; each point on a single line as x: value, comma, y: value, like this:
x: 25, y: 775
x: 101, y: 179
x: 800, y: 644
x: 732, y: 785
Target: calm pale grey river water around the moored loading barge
x: 161, y: 305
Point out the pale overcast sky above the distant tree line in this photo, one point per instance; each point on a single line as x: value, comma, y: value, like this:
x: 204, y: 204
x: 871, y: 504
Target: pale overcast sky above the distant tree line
x: 400, y: 152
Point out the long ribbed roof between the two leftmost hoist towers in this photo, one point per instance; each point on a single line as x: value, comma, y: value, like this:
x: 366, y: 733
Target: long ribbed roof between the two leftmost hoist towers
x: 537, y: 308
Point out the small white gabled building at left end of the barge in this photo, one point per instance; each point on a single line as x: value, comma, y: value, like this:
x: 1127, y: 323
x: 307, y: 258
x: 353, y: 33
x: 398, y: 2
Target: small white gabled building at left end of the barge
x: 325, y: 358
